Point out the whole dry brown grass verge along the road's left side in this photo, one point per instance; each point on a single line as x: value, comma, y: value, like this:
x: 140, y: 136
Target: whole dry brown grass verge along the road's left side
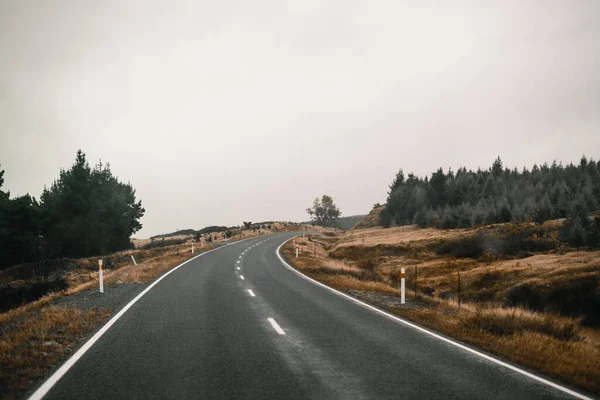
x: 36, y: 336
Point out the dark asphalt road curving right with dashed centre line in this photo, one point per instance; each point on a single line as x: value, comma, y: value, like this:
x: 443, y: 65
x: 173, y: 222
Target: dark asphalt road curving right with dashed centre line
x: 209, y: 330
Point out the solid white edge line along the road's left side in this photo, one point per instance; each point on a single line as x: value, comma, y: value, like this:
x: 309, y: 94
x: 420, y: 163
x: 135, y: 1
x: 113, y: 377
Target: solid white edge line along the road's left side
x: 56, y: 376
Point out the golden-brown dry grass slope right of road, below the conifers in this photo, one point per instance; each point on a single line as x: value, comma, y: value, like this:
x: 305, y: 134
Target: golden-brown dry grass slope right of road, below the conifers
x: 556, y: 345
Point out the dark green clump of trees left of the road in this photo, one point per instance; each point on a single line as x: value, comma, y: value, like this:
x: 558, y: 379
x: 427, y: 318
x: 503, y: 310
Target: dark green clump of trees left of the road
x: 85, y: 212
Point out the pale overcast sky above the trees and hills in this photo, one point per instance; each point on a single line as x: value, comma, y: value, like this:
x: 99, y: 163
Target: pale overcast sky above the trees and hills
x: 224, y: 111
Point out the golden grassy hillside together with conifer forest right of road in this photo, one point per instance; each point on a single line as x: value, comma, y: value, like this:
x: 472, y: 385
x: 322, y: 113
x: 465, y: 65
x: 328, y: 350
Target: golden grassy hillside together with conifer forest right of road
x: 505, y: 260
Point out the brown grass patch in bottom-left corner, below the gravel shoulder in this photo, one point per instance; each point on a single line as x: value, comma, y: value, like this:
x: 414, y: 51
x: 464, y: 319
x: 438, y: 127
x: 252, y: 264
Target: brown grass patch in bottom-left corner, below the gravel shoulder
x: 30, y: 347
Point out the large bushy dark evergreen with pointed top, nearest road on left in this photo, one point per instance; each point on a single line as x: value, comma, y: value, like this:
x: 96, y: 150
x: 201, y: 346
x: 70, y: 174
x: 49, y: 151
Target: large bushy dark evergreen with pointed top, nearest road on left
x: 89, y: 212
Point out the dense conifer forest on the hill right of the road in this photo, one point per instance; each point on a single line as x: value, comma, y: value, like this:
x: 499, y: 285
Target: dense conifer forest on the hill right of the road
x: 466, y: 198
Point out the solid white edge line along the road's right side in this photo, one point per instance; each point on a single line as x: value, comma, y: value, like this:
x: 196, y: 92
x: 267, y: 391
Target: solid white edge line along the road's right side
x: 430, y: 333
